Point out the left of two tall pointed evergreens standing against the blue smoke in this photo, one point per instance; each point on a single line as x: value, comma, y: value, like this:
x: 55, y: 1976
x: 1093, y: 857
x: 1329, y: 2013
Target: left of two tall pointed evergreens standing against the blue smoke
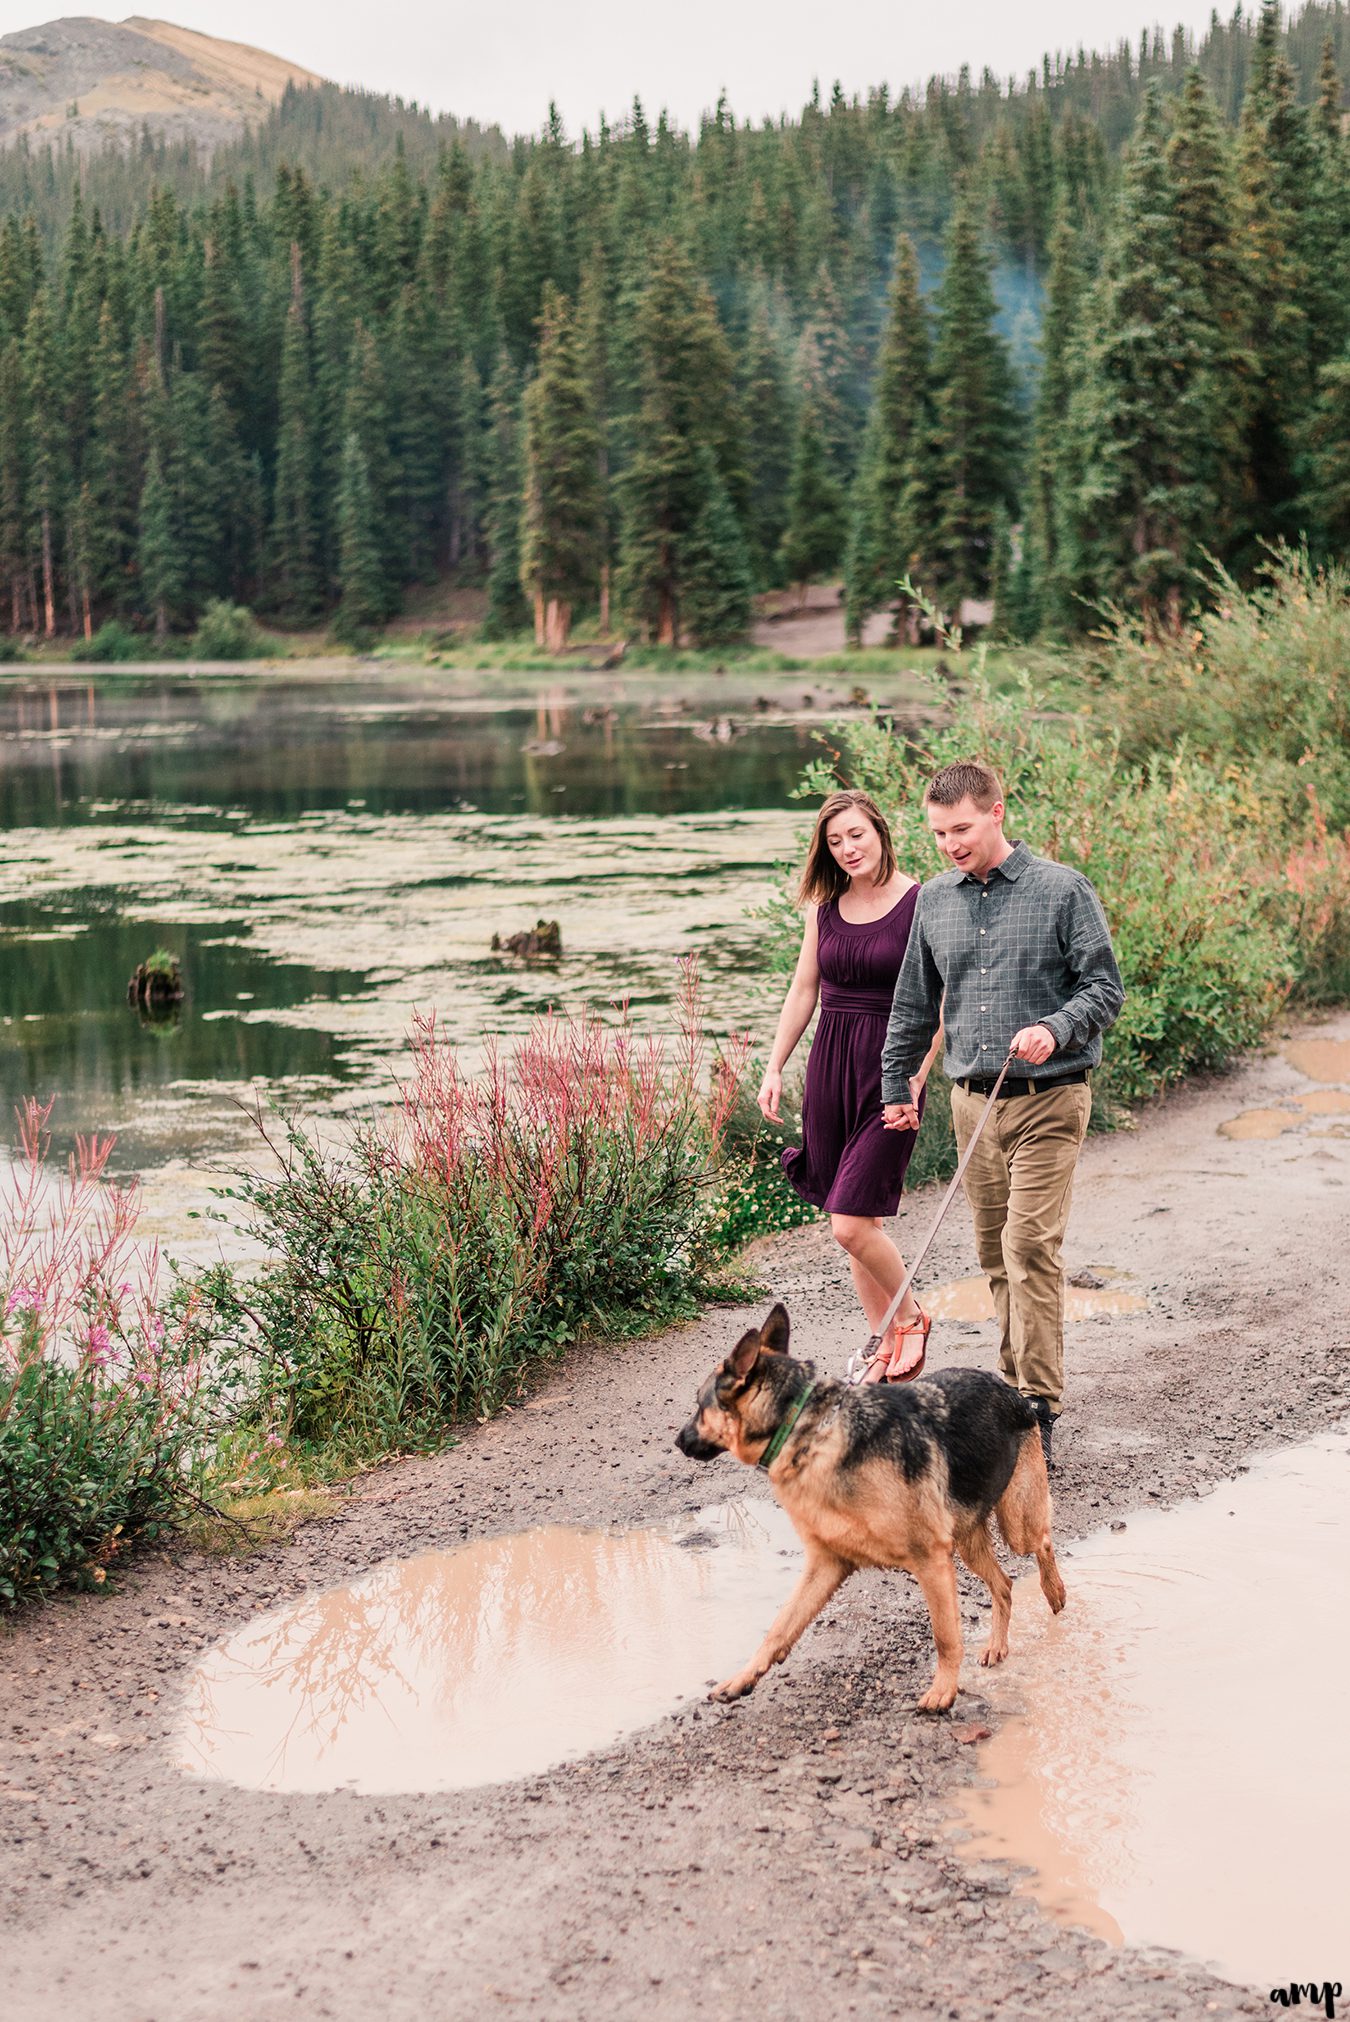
x: 892, y: 500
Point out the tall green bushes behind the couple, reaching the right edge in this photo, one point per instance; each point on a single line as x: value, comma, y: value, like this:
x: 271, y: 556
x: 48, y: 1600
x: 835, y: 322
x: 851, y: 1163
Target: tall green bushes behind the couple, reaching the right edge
x: 1203, y: 784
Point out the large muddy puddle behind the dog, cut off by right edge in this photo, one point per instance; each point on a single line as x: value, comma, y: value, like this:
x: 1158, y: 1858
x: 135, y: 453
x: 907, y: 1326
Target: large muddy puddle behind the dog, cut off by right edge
x: 1177, y: 1770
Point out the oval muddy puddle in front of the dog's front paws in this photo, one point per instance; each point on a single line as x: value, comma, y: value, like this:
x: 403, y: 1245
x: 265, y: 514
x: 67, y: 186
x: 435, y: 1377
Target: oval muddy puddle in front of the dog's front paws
x: 488, y: 1663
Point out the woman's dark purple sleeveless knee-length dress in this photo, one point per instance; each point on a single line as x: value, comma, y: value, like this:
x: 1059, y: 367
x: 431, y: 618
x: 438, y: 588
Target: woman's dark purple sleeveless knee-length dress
x: 848, y: 1162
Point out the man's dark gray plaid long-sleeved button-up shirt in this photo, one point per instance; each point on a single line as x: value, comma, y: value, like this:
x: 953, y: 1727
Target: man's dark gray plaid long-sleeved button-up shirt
x: 1032, y: 947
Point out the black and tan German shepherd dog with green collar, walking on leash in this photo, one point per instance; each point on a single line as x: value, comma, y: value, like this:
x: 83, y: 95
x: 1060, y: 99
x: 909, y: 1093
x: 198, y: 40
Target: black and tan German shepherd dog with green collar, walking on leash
x: 884, y: 1477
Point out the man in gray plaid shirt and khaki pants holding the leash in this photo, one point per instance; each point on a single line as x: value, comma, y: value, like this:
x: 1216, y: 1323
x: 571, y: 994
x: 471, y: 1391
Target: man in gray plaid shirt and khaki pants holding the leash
x: 1014, y: 955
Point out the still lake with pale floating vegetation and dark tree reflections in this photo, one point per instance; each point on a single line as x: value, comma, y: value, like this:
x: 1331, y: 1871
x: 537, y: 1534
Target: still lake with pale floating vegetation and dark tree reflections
x: 330, y: 854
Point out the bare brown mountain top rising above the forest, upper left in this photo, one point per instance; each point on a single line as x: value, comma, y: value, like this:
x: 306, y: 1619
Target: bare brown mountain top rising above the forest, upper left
x: 92, y: 82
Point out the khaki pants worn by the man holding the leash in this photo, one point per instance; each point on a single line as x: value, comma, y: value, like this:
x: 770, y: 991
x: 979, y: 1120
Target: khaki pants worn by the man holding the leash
x: 1020, y: 1188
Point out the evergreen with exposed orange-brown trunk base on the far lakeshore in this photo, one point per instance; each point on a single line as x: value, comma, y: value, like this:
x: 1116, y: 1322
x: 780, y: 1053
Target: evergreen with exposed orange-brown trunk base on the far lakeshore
x: 563, y: 525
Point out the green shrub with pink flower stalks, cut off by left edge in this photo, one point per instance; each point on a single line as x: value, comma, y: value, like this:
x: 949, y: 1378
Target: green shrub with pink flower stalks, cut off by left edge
x: 100, y: 1402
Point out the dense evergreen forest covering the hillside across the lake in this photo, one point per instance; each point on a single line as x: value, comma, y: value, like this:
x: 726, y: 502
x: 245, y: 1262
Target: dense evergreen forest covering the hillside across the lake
x: 1060, y: 343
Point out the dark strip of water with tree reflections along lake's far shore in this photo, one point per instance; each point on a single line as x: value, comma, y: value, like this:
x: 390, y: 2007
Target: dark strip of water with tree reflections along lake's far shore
x: 286, y: 747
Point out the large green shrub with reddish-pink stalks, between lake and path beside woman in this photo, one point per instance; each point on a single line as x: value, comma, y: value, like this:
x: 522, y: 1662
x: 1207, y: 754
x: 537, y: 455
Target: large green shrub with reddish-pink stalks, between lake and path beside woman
x: 421, y: 1269
